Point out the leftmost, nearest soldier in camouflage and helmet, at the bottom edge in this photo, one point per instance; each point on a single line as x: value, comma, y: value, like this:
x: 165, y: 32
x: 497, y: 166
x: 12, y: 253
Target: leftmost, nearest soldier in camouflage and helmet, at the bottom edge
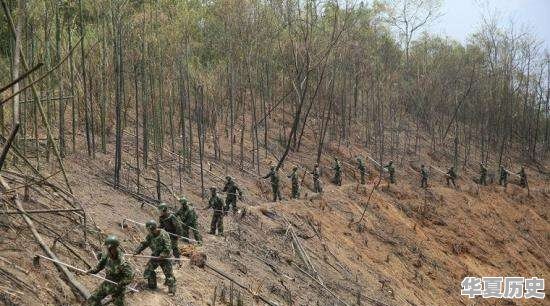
x: 117, y: 269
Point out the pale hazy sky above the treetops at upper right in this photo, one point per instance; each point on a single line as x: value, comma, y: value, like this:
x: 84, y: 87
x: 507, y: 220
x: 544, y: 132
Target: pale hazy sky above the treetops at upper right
x: 462, y: 17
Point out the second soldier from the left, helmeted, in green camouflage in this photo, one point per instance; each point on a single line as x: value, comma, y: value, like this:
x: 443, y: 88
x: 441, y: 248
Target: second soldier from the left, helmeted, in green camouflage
x: 158, y: 241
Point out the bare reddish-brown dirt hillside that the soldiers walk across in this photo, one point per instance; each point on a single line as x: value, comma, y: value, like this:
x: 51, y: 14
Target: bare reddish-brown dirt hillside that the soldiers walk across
x: 412, y: 247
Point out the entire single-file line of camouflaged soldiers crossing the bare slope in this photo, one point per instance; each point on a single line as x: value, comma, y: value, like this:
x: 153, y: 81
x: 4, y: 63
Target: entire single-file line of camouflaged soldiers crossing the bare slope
x: 162, y: 237
